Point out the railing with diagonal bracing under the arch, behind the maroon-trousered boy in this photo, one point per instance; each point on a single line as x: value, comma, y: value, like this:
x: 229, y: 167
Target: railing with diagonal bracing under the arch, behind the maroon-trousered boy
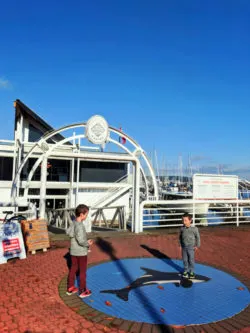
x: 103, y: 217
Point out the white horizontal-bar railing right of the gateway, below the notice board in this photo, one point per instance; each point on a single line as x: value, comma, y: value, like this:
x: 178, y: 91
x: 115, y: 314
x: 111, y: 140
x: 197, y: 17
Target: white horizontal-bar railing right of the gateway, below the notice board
x: 168, y: 213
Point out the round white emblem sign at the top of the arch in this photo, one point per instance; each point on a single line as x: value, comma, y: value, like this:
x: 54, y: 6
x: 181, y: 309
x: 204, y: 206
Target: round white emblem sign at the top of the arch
x: 97, y: 130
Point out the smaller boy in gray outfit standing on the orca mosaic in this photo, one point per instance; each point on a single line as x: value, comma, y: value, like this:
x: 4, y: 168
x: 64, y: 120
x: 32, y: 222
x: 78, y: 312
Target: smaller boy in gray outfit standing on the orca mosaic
x: 189, y: 242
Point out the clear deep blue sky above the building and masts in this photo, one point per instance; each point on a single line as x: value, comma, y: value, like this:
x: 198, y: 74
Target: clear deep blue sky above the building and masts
x: 174, y: 74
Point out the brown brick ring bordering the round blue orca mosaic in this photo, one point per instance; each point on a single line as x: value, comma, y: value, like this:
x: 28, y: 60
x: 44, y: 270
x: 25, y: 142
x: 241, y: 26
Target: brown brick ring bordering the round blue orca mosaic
x: 237, y: 322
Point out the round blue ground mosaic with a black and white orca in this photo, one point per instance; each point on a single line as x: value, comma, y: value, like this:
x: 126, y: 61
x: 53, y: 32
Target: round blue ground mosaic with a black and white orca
x: 151, y: 290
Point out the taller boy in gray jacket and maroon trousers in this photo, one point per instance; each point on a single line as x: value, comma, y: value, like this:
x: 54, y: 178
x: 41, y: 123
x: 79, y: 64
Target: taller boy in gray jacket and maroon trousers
x: 79, y: 246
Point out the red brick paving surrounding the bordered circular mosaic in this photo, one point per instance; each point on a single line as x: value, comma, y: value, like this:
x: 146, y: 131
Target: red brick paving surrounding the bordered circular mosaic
x: 29, y: 298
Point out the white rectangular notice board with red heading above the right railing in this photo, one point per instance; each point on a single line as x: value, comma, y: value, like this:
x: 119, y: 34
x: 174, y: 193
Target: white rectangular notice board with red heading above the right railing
x: 212, y: 187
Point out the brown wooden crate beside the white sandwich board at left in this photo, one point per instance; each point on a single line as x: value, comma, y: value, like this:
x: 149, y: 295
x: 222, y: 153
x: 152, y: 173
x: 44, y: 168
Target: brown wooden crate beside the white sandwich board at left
x: 36, y: 236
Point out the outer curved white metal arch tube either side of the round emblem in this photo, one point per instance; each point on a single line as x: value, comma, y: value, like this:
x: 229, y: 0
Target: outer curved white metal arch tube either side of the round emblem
x: 55, y: 132
